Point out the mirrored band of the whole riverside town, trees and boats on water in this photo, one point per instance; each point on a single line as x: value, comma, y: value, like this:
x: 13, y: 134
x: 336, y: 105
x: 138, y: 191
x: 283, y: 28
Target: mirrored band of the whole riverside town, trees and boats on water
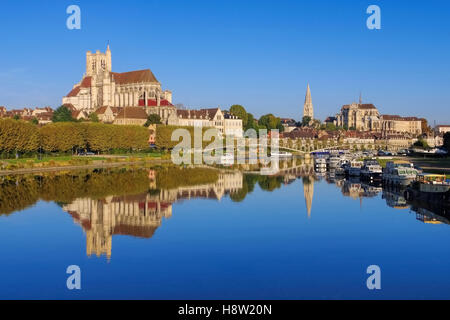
x: 134, y: 202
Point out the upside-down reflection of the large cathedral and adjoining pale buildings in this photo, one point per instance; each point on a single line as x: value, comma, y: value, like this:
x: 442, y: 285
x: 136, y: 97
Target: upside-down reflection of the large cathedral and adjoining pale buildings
x: 139, y: 215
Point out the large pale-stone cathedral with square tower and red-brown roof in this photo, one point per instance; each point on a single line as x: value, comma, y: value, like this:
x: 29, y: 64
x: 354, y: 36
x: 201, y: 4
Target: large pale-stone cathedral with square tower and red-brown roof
x: 101, y: 87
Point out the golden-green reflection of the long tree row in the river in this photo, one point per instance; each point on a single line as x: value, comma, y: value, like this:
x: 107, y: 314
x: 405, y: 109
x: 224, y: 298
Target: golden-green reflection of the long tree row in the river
x: 20, y: 192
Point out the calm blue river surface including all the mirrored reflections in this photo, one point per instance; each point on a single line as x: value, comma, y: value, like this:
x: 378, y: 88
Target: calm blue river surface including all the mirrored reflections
x: 185, y: 234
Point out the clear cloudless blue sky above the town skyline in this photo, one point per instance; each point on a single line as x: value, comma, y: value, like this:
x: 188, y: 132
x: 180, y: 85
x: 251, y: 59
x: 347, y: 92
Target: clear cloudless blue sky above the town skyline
x: 260, y: 54
